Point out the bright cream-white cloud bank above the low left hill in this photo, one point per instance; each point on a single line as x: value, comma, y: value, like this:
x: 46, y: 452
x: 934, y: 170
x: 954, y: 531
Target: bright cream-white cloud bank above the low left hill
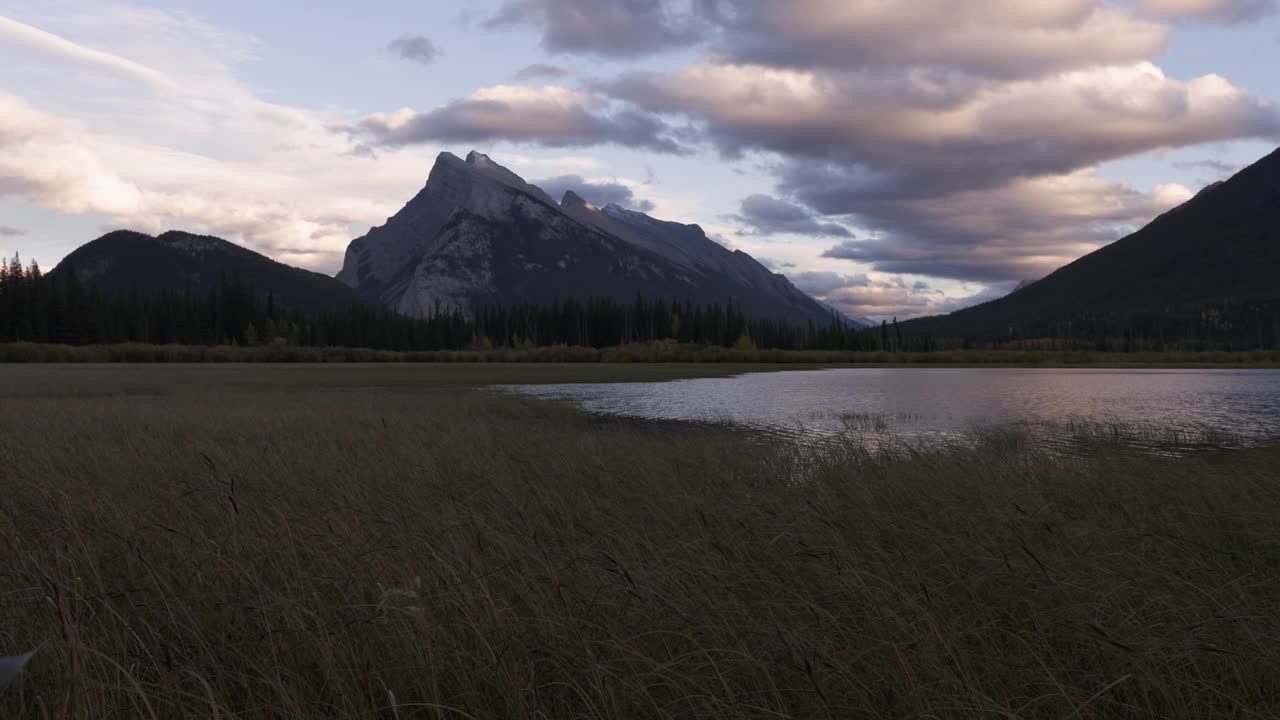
x: 273, y: 177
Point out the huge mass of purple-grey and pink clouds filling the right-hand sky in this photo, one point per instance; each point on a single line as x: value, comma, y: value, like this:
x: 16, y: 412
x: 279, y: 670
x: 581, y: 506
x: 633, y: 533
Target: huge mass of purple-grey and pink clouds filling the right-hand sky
x: 966, y: 140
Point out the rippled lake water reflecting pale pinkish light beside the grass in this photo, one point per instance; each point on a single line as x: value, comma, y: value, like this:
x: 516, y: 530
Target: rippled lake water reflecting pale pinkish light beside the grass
x: 936, y: 403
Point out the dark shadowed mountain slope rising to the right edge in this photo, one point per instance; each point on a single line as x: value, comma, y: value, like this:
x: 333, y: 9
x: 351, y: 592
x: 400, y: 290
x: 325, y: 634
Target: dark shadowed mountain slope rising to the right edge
x: 1219, y: 253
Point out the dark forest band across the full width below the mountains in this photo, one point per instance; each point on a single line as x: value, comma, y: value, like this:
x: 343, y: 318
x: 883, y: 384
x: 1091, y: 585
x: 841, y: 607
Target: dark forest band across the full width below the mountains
x: 61, y: 309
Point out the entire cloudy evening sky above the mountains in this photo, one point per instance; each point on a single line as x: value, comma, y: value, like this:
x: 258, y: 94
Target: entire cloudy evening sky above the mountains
x: 895, y: 158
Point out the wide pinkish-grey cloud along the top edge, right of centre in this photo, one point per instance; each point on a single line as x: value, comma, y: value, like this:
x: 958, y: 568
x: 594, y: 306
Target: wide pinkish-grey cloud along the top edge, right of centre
x: 981, y: 38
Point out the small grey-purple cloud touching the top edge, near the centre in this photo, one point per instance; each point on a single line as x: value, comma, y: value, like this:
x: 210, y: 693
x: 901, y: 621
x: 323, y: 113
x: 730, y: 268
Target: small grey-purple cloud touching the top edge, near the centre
x: 615, y: 29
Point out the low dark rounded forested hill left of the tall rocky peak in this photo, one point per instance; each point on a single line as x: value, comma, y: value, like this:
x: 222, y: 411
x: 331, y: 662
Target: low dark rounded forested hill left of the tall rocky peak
x: 124, y: 261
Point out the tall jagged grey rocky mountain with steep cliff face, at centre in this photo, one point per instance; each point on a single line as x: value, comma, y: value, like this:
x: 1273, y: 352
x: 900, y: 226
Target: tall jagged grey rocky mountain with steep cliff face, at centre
x: 478, y: 235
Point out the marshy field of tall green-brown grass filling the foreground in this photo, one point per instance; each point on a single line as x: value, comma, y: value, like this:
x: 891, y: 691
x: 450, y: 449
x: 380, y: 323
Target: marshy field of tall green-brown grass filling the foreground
x: 365, y: 543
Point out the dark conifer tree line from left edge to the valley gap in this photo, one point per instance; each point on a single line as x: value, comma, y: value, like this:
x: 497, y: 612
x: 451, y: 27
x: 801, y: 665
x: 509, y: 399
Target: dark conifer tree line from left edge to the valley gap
x: 61, y: 309
